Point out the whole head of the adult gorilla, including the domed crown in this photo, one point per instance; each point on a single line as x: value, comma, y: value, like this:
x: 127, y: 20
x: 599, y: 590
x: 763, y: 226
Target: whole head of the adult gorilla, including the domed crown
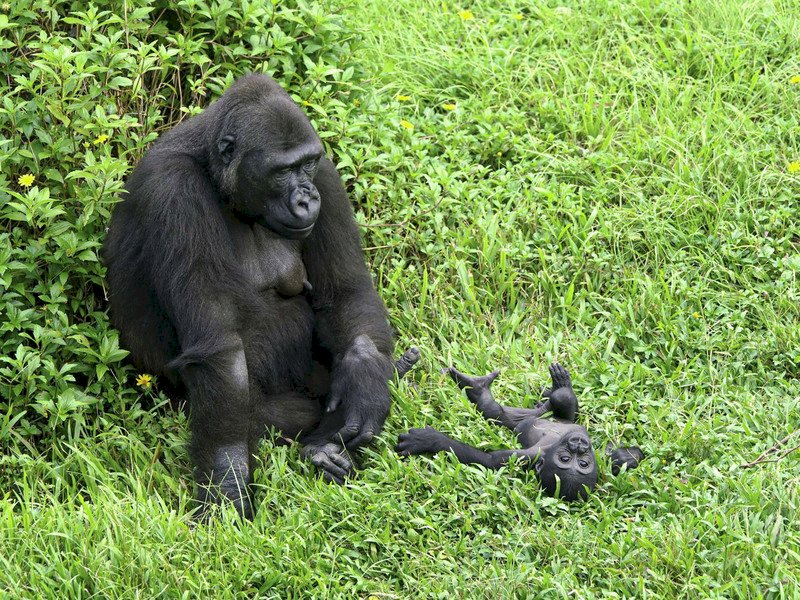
x: 265, y: 156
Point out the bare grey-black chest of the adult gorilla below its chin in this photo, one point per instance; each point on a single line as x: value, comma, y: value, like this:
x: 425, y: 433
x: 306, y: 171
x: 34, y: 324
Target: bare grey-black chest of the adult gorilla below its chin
x: 271, y: 262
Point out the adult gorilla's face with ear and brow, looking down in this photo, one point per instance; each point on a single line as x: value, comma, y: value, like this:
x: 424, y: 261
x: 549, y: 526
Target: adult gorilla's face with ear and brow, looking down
x: 269, y: 169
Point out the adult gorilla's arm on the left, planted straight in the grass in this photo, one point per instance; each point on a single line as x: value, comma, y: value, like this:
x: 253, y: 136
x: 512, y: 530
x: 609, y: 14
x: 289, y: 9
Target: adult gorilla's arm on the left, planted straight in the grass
x: 185, y: 248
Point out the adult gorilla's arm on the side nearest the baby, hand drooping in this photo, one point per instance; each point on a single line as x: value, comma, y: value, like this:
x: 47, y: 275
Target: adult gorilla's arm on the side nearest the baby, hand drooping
x: 351, y: 320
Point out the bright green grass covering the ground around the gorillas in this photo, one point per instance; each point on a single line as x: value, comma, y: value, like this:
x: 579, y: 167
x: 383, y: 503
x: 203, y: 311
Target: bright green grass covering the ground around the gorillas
x: 612, y: 190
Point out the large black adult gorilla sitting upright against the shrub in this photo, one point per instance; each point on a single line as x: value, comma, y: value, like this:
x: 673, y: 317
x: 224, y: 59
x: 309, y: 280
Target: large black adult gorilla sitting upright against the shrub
x: 235, y: 271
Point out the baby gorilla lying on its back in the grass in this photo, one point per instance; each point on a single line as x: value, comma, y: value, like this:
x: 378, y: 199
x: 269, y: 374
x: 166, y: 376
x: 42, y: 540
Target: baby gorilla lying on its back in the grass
x: 559, y: 449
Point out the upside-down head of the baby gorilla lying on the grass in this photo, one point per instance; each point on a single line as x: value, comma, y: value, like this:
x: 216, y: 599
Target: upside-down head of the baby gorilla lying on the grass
x: 572, y: 463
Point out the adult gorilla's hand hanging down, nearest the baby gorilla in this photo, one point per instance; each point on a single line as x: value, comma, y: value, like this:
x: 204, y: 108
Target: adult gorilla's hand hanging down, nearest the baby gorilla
x: 360, y: 389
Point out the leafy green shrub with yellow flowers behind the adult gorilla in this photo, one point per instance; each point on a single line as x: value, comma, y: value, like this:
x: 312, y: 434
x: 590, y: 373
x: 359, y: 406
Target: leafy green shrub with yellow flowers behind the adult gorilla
x: 87, y: 88
